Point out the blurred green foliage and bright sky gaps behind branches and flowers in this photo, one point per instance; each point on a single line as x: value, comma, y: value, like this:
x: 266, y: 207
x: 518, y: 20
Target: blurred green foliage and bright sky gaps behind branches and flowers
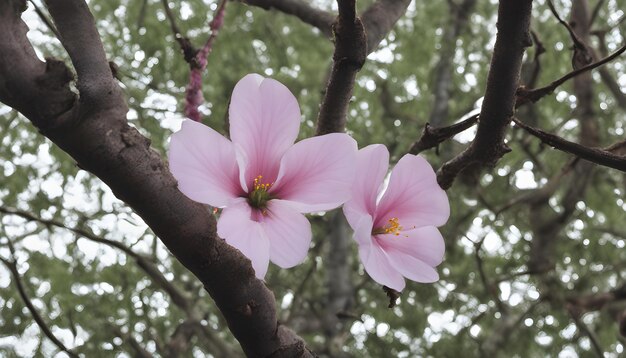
x: 98, y: 298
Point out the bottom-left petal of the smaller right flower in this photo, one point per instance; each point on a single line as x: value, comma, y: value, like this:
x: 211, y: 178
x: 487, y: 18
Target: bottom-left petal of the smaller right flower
x: 379, y: 267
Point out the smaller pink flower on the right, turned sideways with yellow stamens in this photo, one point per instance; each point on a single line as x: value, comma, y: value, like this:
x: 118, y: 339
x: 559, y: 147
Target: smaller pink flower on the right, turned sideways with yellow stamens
x: 397, y: 235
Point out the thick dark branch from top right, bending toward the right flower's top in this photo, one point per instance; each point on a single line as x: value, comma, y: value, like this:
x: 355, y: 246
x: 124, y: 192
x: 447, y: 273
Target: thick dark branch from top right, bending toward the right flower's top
x: 488, y: 146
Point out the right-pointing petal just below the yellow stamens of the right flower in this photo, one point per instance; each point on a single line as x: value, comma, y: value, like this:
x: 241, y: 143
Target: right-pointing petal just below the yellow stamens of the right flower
x: 425, y: 244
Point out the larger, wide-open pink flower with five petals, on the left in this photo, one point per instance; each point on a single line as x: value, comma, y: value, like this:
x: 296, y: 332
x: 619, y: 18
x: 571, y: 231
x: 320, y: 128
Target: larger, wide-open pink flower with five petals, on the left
x: 264, y: 181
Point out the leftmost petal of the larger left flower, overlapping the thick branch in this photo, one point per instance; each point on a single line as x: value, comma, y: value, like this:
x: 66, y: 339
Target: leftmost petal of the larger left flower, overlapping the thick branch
x: 204, y: 163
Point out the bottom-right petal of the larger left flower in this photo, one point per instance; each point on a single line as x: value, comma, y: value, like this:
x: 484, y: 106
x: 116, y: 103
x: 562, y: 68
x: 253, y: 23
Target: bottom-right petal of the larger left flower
x: 289, y: 233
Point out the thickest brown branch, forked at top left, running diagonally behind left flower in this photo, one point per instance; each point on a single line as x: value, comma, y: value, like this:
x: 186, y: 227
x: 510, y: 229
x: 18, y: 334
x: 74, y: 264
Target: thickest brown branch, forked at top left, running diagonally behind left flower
x: 100, y: 140
